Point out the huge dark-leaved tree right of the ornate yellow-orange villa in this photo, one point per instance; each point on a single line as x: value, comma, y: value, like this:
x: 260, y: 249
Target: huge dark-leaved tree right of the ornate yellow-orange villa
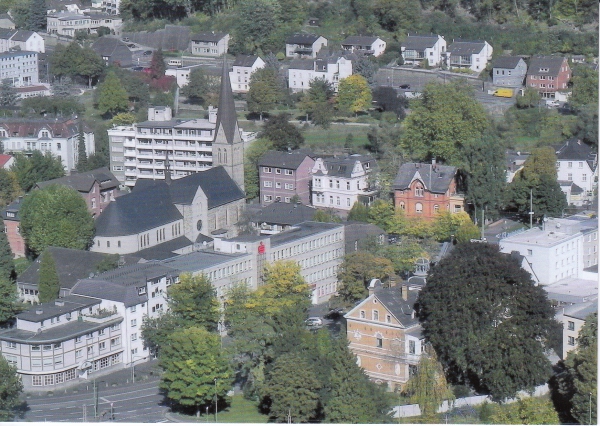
x: 494, y: 333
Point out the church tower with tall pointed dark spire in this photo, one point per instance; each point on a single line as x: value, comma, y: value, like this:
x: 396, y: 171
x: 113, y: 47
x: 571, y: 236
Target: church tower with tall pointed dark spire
x: 228, y: 146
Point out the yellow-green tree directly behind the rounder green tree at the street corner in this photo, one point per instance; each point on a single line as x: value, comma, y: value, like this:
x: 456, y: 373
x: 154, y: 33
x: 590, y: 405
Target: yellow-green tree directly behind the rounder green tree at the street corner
x: 193, y: 301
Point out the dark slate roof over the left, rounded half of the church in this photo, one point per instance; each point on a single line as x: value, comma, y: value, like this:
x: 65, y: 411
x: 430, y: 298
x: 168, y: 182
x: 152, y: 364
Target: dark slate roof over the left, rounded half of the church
x: 138, y: 211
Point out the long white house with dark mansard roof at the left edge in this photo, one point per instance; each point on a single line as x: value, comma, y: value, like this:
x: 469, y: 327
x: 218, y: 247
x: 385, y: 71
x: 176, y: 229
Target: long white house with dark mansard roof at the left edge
x: 59, y: 136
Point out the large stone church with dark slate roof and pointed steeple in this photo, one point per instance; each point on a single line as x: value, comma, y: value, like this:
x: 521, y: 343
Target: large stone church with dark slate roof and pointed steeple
x: 164, y: 218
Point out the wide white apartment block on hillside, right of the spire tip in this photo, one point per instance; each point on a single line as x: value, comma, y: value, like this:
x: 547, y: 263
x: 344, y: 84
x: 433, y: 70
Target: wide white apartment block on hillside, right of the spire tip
x: 303, y: 71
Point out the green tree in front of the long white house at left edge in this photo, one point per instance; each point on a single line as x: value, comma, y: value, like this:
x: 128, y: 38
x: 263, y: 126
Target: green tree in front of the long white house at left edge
x: 37, y: 168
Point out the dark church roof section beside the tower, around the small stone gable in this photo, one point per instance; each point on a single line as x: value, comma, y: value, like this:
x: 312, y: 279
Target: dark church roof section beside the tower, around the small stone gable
x: 216, y: 184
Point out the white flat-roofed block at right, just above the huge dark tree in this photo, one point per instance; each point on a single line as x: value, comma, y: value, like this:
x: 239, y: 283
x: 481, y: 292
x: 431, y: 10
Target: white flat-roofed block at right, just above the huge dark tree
x: 551, y: 254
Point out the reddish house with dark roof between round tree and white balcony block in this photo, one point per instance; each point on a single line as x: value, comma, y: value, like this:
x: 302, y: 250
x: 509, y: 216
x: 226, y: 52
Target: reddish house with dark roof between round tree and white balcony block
x: 97, y: 187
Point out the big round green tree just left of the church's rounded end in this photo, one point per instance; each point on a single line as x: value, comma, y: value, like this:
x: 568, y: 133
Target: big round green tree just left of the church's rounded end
x: 56, y: 216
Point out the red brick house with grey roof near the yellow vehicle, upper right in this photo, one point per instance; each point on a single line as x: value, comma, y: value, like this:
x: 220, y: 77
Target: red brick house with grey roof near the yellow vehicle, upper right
x: 548, y: 75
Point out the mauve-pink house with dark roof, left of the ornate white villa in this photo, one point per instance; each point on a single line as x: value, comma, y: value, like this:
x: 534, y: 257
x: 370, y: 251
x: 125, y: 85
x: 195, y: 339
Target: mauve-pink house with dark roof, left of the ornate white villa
x: 283, y: 175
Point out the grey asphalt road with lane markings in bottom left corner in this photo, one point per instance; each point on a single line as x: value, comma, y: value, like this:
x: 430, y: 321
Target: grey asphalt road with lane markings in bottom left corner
x: 132, y: 403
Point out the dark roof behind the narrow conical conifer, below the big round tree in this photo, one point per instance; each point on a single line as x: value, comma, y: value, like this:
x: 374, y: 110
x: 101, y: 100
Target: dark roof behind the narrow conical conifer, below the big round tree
x: 71, y: 265
